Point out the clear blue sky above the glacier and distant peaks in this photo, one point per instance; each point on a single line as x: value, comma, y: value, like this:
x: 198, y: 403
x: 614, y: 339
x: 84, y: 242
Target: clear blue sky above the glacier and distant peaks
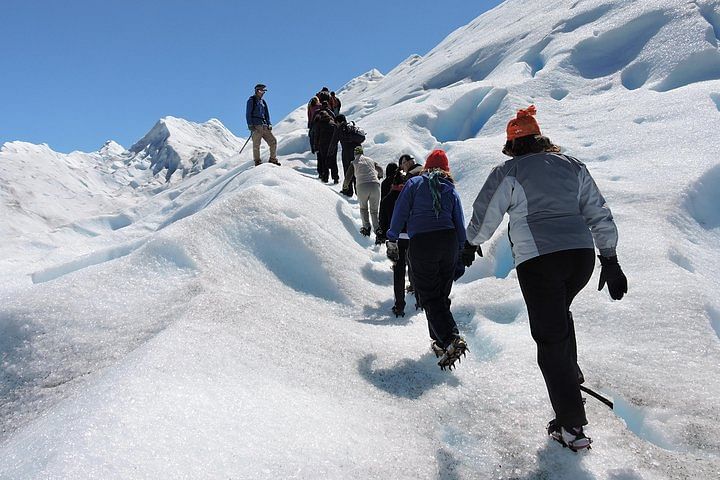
x: 78, y: 72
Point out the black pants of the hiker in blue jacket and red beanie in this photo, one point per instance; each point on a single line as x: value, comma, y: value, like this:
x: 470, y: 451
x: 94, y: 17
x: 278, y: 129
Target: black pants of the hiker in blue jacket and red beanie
x: 432, y: 257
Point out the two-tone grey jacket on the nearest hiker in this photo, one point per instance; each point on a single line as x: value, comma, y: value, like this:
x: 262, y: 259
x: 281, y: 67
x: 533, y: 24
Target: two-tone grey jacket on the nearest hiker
x: 553, y: 204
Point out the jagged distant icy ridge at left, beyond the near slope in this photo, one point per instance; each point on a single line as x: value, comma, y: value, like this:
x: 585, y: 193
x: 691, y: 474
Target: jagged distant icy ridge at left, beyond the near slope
x: 83, y: 184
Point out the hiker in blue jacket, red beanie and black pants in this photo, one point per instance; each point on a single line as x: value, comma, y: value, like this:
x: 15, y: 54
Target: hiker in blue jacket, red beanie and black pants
x: 429, y: 209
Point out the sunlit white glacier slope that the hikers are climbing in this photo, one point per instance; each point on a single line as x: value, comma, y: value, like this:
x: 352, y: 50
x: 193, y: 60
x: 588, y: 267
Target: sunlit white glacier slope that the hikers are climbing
x: 237, y: 326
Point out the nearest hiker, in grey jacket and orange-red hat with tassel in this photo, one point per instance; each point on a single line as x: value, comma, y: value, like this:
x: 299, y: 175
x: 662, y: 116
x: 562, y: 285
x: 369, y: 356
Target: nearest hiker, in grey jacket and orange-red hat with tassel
x: 557, y: 218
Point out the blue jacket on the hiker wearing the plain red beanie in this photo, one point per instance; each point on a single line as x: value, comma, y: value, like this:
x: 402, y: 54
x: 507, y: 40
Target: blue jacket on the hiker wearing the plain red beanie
x: 416, y: 208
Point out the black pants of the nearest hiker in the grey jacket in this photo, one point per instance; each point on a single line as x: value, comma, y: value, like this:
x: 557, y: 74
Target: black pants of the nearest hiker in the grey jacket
x: 549, y: 283
